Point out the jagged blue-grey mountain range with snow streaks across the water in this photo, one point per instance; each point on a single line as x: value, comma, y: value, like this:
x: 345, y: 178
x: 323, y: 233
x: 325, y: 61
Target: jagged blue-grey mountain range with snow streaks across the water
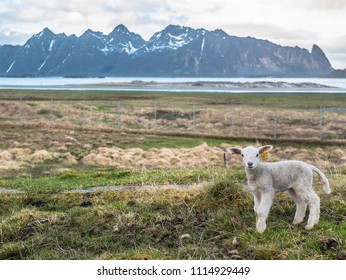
x: 176, y: 51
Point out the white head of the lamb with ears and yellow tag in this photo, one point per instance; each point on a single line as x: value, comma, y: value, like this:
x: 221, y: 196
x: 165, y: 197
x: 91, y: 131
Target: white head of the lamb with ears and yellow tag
x: 251, y: 155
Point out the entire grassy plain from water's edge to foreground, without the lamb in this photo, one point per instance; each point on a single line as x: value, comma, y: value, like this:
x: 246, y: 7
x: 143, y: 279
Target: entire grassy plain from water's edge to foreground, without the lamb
x: 170, y: 195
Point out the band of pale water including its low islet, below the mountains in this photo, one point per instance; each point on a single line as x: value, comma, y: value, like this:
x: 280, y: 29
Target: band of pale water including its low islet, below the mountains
x: 161, y: 84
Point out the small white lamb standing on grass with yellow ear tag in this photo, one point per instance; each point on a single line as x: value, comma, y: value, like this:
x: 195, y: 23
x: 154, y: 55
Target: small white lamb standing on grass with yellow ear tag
x: 266, y: 179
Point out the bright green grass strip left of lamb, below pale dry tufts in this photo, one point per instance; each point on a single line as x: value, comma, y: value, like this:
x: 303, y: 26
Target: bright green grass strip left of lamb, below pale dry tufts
x: 83, y: 179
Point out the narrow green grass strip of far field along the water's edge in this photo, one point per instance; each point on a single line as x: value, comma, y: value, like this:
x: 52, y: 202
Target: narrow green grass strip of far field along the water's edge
x: 270, y: 99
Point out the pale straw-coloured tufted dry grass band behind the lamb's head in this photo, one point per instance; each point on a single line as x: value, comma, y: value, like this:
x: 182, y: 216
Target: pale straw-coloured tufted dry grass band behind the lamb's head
x: 160, y: 158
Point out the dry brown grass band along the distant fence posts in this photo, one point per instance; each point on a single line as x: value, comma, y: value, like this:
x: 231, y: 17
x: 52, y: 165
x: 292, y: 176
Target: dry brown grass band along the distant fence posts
x: 256, y: 122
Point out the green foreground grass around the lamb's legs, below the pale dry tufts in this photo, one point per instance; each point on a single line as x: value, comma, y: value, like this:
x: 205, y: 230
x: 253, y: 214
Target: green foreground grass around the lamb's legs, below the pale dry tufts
x: 52, y: 224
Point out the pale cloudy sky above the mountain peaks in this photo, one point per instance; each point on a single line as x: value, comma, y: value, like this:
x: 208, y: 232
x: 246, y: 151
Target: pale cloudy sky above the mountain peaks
x: 286, y: 22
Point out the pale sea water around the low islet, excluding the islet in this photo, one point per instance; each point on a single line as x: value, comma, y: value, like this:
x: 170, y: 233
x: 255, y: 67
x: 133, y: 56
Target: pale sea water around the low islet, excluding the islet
x: 56, y: 83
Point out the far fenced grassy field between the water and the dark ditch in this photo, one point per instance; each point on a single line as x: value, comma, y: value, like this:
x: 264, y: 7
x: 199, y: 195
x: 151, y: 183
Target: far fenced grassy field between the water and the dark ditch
x: 267, y: 115
